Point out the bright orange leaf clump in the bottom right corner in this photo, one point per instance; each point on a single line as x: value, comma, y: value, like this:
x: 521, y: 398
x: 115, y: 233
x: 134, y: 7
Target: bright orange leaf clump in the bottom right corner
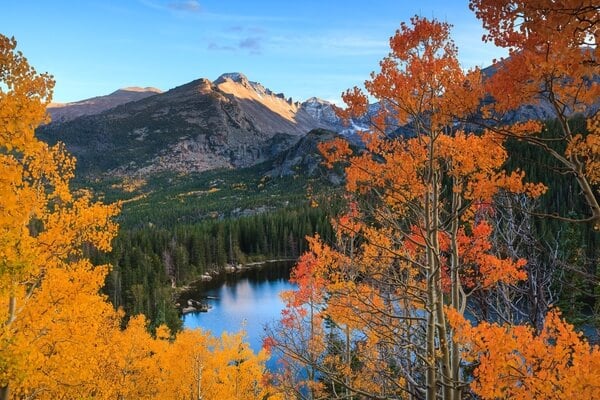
x: 516, y: 363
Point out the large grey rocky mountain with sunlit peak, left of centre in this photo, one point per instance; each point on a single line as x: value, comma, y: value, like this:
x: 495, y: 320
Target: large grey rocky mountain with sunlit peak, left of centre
x: 201, y: 125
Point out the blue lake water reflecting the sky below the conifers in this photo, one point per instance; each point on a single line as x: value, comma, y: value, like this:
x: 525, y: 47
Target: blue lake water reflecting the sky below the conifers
x: 246, y: 300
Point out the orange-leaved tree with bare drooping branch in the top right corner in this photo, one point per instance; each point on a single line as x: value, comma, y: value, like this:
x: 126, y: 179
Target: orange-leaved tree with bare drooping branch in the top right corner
x: 553, y: 61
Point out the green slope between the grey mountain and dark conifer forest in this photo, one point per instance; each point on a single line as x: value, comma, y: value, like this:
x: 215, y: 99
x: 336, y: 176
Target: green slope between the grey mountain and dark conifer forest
x: 169, y: 199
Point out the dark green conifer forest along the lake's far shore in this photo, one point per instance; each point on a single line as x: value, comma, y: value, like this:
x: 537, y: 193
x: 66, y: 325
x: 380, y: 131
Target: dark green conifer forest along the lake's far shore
x: 150, y: 263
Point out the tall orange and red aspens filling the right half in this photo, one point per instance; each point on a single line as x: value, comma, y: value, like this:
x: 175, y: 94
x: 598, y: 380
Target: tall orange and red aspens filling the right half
x: 387, y: 303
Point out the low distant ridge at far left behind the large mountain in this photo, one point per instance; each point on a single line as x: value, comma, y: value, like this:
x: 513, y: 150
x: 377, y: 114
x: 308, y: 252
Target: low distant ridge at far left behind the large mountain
x: 61, y: 112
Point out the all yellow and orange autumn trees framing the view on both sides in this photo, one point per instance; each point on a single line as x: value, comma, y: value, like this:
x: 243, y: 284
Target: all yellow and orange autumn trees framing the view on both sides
x: 390, y: 308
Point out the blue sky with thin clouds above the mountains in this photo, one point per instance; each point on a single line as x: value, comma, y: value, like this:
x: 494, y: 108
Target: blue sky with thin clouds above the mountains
x: 302, y: 48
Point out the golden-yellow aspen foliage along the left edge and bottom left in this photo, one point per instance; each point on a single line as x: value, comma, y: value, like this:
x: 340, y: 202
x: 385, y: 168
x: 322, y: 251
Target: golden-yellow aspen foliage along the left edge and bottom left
x: 59, y: 337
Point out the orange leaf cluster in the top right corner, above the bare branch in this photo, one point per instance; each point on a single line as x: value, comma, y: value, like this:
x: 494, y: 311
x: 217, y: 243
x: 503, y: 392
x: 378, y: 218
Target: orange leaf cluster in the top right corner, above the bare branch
x: 546, y: 54
